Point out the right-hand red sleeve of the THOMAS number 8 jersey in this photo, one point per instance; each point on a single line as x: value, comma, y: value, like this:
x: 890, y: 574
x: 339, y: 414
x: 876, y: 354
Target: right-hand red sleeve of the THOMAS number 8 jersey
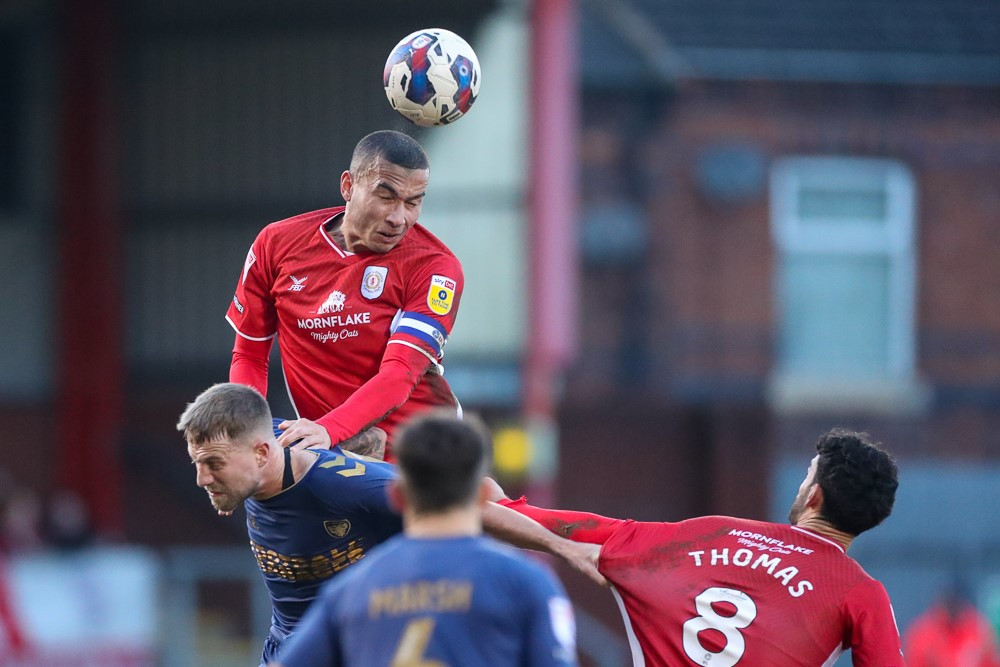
x: 874, y: 635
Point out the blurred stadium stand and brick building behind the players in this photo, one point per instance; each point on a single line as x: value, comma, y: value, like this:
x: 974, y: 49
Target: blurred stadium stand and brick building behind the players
x: 697, y: 233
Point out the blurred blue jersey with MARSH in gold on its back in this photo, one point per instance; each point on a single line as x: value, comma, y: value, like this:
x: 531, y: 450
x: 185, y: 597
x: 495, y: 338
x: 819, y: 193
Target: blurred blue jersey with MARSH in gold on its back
x: 460, y: 601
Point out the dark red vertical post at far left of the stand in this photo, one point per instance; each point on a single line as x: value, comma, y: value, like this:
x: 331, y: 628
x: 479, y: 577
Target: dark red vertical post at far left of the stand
x: 90, y: 365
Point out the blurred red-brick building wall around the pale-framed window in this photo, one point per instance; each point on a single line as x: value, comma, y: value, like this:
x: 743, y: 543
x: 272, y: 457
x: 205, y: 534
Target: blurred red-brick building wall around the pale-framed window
x: 706, y: 299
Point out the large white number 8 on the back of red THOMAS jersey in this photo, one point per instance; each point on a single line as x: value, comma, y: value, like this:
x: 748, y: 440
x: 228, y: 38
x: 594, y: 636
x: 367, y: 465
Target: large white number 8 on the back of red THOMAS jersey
x: 709, y: 619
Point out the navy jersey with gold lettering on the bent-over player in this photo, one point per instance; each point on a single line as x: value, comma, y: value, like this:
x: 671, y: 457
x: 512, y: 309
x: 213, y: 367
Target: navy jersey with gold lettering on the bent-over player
x: 314, y: 529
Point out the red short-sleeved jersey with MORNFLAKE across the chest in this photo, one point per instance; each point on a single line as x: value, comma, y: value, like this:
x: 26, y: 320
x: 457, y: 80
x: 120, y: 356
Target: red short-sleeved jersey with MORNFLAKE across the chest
x: 335, y: 312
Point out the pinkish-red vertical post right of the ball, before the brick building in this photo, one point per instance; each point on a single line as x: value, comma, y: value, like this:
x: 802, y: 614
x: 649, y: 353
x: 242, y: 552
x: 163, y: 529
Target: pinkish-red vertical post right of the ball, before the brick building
x: 553, y: 271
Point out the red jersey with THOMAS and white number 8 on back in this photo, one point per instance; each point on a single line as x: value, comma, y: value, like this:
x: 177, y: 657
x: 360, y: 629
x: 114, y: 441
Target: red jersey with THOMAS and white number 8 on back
x: 722, y: 591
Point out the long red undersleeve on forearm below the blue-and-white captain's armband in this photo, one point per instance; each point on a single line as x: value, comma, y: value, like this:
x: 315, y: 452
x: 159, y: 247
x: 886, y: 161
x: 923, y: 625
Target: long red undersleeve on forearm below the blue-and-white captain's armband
x: 401, y: 369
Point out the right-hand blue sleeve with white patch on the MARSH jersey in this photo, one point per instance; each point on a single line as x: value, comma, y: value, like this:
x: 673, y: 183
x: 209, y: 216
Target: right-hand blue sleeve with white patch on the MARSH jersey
x: 551, y: 638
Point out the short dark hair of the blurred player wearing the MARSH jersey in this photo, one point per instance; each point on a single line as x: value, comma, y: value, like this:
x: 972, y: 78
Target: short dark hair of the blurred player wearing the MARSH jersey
x: 442, y: 460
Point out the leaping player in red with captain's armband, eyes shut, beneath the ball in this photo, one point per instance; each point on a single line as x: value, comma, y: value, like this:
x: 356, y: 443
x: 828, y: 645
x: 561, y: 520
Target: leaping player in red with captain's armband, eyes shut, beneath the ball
x: 362, y: 298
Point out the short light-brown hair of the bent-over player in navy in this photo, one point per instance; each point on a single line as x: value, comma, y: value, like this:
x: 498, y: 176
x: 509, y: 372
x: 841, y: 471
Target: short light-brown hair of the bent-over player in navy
x: 227, y: 410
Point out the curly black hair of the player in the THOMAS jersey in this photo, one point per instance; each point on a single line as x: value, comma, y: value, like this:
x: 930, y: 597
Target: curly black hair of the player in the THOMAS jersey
x: 858, y: 478
